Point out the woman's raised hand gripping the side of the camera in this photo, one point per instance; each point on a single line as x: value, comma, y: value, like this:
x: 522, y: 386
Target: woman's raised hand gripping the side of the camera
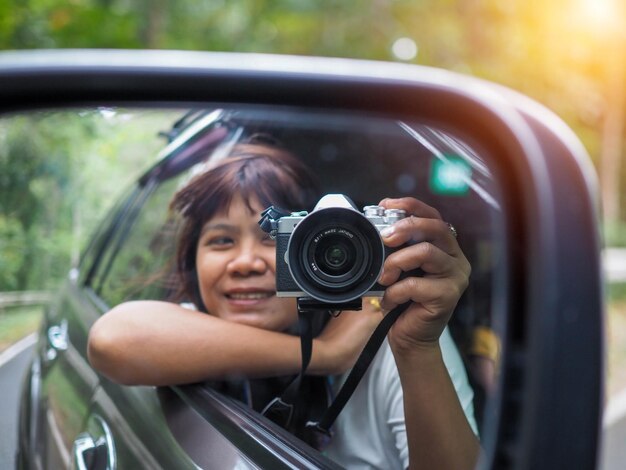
x: 425, y: 241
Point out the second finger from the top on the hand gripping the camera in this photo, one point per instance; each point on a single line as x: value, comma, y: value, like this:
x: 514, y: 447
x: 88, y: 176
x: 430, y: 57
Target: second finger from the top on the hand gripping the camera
x: 418, y: 229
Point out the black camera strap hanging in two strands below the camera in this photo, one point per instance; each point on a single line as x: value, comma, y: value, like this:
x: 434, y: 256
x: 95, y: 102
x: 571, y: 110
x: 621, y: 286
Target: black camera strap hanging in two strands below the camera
x: 280, y: 410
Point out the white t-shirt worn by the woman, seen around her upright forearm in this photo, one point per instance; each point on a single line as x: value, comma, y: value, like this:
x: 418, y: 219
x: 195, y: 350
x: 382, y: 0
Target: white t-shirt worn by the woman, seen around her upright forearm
x: 371, y: 433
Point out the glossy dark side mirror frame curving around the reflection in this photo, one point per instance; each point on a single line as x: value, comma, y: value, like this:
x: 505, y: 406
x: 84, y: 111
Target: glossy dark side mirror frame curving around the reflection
x: 547, y: 413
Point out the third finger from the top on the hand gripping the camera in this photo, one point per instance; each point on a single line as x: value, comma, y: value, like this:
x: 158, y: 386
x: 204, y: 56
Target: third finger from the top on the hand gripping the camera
x: 431, y: 259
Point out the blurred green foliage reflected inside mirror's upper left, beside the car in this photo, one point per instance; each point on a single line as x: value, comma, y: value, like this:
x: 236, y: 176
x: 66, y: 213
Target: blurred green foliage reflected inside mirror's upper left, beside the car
x: 51, y: 178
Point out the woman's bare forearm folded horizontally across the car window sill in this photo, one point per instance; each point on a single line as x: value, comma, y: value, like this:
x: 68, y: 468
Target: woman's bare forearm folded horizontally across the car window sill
x: 159, y: 343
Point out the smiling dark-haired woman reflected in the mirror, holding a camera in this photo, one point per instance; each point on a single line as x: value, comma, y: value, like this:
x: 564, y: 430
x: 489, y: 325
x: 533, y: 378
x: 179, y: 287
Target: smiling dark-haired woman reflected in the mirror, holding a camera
x: 226, y: 267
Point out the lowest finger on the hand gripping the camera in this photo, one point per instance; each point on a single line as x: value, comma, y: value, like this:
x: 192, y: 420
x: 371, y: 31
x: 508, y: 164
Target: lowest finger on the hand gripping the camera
x: 435, y: 295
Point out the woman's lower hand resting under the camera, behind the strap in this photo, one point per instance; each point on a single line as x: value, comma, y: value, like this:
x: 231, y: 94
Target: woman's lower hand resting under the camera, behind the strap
x: 338, y: 347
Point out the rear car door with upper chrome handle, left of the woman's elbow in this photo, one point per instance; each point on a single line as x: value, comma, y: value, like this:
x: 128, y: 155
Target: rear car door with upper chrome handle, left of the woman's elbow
x: 67, y: 380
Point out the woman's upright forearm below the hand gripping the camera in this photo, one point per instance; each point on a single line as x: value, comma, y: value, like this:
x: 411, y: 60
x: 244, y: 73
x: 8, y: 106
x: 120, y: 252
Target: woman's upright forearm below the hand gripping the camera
x: 438, y: 433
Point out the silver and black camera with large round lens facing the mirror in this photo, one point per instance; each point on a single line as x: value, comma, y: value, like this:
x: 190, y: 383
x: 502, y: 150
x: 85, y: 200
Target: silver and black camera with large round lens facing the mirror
x: 333, y: 255
